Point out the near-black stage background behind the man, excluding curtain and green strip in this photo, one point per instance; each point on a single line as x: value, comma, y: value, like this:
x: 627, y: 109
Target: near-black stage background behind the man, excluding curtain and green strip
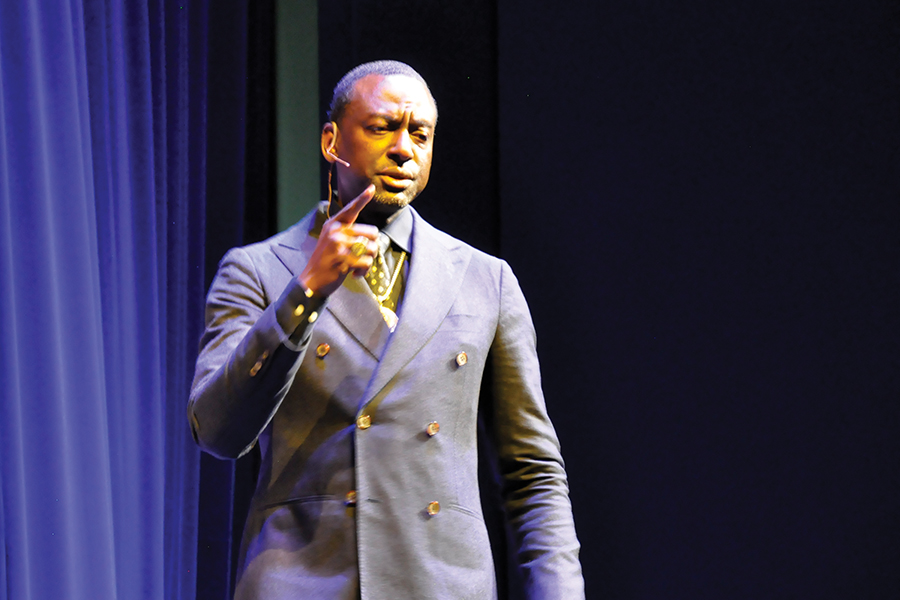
x: 700, y: 201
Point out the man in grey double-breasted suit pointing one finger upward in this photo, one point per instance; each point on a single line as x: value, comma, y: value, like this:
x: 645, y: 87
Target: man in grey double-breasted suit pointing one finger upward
x: 354, y: 348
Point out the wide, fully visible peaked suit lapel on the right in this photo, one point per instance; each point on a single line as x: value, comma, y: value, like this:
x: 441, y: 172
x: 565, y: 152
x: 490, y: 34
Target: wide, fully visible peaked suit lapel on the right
x: 435, y: 276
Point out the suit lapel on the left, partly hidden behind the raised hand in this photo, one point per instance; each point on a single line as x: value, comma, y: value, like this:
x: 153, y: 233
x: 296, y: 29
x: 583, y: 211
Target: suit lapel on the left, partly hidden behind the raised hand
x: 351, y: 304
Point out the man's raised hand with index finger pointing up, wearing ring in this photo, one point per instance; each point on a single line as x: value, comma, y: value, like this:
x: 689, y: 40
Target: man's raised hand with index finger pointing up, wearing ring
x: 334, y: 257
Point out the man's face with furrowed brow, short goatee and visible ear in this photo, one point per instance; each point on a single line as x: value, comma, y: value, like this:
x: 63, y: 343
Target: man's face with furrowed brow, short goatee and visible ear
x: 386, y: 134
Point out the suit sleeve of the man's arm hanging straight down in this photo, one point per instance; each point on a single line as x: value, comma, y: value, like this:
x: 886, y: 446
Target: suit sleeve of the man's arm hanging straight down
x: 534, y: 484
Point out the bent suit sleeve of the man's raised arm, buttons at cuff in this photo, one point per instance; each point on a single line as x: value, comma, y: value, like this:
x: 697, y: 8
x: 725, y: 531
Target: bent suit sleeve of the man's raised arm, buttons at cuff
x: 247, y: 359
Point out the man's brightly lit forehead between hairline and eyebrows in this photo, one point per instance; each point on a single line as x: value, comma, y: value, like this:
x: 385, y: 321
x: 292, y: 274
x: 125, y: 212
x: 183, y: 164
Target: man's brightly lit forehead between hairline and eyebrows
x: 392, y: 93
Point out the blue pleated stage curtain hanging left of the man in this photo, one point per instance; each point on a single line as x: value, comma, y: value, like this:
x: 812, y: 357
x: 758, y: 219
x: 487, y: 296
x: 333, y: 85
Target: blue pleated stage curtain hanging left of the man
x: 102, y: 178
